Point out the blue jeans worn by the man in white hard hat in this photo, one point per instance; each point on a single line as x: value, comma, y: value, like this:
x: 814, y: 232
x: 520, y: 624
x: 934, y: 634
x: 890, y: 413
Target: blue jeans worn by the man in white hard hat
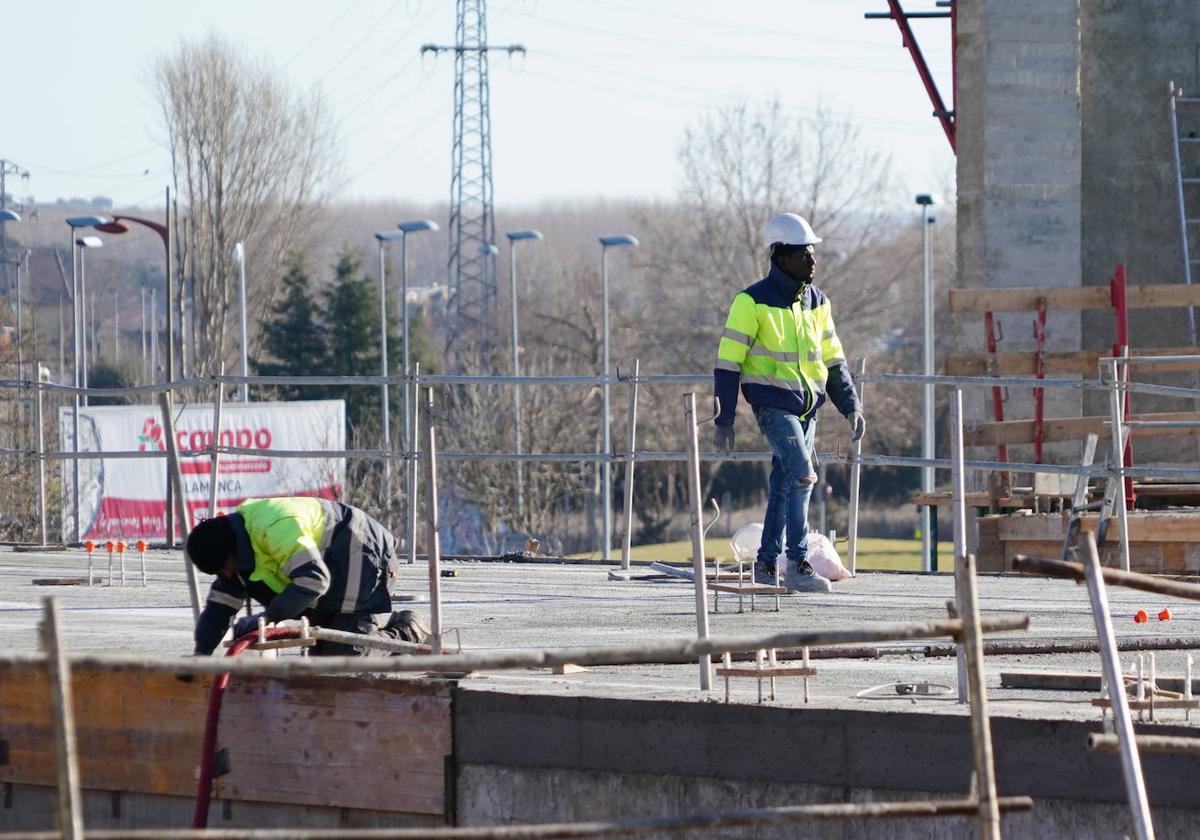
x: 791, y: 442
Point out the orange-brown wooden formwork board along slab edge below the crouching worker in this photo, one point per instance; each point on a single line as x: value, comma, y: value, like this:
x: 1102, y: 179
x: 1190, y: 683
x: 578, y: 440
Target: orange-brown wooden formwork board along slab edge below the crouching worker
x: 379, y: 745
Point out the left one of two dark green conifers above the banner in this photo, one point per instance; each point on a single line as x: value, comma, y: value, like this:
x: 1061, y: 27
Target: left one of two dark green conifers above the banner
x: 293, y: 338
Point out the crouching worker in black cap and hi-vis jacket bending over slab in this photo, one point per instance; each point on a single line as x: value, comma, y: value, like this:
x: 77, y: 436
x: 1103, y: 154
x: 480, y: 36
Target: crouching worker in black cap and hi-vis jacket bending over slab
x: 301, y: 557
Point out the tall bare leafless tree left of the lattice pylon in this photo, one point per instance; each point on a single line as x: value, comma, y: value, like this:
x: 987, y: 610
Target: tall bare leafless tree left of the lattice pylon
x: 250, y: 159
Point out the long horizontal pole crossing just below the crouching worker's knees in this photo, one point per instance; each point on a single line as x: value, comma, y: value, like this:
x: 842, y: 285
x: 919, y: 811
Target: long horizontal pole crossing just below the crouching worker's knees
x: 499, y: 661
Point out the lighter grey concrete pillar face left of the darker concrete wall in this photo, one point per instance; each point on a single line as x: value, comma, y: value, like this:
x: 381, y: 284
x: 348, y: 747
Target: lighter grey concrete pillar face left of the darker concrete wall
x: 1019, y: 175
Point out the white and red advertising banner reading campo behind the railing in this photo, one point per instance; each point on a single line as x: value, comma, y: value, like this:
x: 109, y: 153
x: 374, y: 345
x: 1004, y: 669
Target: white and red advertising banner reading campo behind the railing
x: 127, y: 499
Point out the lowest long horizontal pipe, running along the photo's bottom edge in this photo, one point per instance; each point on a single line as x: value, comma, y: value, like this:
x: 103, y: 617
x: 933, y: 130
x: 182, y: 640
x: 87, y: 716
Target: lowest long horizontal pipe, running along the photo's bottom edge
x: 694, y: 823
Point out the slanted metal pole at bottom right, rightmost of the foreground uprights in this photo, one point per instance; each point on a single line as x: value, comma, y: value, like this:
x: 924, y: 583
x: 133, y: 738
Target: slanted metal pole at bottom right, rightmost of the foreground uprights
x: 1131, y: 763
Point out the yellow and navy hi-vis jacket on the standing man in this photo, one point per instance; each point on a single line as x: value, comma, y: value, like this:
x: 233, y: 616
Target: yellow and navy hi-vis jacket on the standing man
x: 781, y: 345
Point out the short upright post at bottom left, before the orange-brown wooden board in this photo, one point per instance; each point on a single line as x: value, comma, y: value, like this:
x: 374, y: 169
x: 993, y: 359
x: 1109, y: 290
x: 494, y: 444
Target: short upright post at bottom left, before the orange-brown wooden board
x: 70, y: 806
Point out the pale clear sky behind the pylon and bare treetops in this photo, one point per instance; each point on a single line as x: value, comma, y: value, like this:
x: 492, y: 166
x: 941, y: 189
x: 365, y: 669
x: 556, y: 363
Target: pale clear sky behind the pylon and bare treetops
x: 596, y: 109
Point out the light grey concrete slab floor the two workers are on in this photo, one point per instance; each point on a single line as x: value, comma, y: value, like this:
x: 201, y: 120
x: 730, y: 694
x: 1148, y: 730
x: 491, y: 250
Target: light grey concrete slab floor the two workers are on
x: 493, y: 605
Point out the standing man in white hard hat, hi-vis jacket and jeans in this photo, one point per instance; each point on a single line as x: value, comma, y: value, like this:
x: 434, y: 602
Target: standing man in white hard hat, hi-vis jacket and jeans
x: 781, y: 345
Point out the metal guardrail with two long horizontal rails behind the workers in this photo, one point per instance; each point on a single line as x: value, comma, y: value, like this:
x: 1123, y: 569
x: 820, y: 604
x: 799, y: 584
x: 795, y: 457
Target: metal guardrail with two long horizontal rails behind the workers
x: 1109, y: 382
